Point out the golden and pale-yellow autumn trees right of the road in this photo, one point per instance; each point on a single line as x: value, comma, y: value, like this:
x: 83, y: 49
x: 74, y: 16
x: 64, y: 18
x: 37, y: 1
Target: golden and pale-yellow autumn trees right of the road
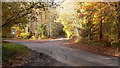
x: 96, y: 21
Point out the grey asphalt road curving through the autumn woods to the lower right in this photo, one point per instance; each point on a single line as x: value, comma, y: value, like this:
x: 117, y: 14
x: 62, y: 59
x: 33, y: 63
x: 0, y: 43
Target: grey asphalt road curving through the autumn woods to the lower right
x: 72, y: 57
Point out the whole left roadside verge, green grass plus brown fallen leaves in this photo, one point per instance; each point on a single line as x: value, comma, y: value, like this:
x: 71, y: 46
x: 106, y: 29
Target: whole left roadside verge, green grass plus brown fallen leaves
x: 14, y: 54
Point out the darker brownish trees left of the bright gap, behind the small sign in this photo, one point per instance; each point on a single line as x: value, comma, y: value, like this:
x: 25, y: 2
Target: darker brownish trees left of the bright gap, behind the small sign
x: 32, y: 19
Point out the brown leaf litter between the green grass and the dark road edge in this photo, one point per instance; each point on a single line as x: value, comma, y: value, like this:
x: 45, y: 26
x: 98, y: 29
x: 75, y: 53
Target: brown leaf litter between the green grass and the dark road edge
x: 20, y: 59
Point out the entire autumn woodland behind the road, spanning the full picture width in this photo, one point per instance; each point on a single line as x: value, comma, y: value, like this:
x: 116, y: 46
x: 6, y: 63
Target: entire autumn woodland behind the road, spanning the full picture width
x: 84, y: 21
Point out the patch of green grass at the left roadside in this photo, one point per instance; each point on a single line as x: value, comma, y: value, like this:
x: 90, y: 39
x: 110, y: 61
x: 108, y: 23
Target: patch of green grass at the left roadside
x: 11, y: 50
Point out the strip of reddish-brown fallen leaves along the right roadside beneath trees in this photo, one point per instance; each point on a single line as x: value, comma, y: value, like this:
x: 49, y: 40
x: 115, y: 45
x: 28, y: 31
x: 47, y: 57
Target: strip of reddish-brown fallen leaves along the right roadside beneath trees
x: 112, y: 51
